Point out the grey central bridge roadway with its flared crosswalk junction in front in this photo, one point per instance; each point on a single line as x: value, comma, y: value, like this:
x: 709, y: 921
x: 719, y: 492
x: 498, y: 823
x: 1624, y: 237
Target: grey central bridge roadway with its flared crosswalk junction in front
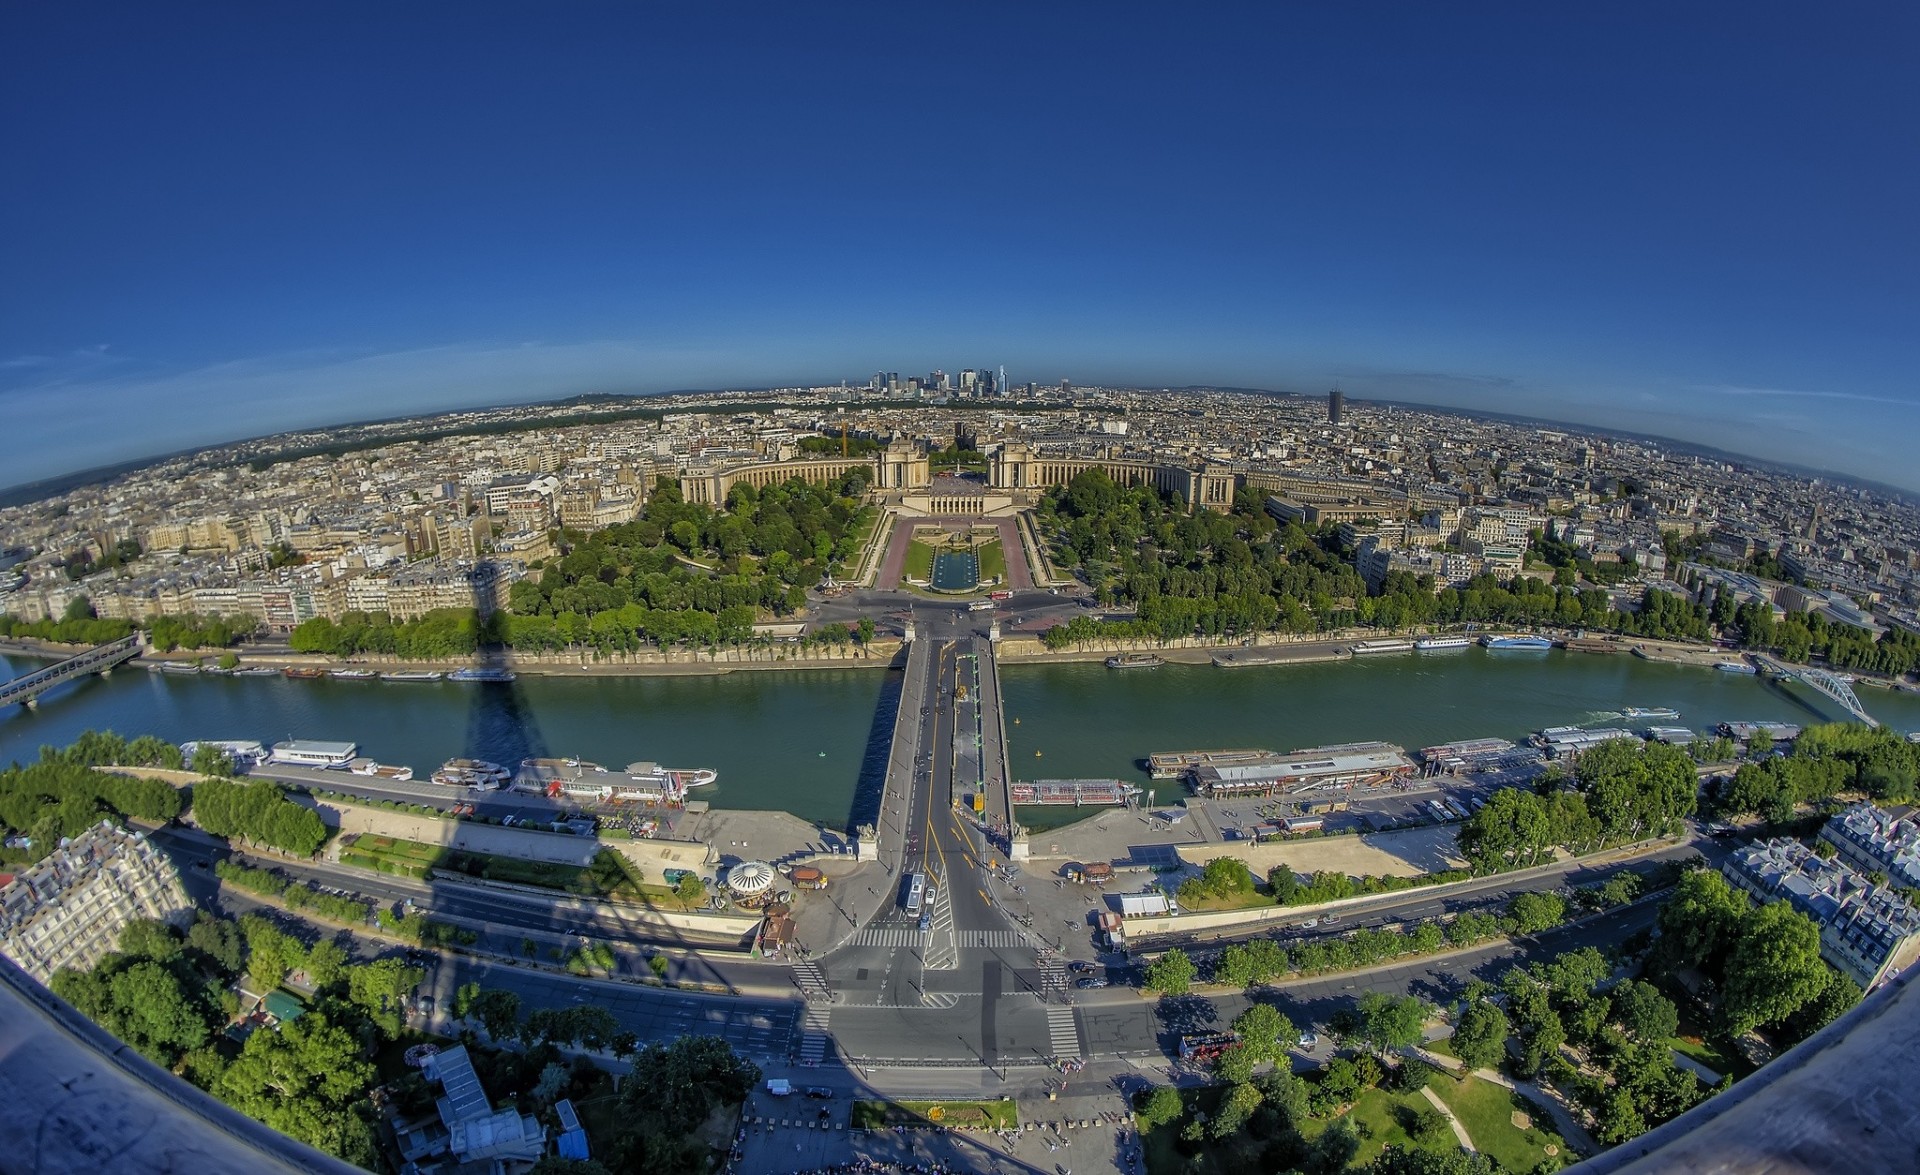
x: 969, y: 990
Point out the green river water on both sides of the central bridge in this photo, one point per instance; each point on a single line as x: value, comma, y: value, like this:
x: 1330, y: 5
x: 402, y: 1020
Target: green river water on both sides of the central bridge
x: 804, y: 740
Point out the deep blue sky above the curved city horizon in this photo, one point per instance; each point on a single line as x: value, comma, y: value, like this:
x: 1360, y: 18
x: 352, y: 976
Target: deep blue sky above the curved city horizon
x: 1677, y: 220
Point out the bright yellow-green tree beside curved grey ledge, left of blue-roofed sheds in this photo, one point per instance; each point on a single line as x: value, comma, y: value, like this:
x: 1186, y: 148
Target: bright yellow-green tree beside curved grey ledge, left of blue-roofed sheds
x: 302, y: 1082
